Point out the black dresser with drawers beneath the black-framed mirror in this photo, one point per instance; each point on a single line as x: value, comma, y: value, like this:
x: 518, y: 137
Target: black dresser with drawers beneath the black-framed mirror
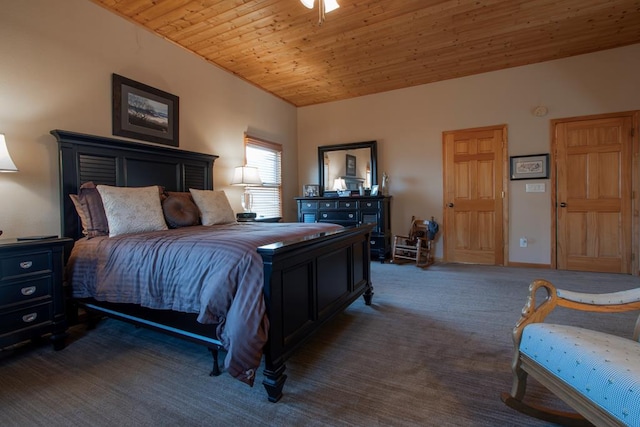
x: 350, y: 211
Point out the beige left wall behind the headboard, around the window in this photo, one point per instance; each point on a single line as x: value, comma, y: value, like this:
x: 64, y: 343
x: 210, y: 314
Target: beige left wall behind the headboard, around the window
x: 58, y: 57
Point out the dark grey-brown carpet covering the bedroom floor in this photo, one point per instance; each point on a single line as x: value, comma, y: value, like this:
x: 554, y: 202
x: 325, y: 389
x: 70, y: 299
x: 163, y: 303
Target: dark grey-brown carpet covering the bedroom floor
x: 433, y: 350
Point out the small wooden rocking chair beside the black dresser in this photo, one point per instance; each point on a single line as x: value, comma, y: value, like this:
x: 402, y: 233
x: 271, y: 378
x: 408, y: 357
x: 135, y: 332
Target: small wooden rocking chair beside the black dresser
x: 416, y: 246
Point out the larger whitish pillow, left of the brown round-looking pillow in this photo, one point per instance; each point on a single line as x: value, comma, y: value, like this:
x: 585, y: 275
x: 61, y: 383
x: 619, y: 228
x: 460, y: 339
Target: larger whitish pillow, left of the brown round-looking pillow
x: 132, y: 209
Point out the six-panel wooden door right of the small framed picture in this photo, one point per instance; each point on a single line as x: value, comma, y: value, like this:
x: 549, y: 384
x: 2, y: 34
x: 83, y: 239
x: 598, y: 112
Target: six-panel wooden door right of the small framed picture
x: 594, y: 193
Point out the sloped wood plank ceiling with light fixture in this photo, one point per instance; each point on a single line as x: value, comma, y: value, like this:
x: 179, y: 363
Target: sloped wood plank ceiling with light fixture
x: 372, y: 46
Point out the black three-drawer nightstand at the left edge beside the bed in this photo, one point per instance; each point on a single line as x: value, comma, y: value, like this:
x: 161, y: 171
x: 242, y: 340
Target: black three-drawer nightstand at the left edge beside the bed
x: 32, y: 296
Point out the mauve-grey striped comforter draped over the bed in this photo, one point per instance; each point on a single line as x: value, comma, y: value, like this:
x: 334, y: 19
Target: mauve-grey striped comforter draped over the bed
x: 213, y: 271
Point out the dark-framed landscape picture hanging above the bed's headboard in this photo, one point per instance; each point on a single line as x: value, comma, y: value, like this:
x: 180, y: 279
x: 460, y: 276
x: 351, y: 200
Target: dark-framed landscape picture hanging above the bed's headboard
x: 144, y: 112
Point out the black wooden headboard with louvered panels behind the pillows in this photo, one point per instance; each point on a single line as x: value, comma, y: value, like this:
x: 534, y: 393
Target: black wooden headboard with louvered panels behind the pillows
x: 123, y: 163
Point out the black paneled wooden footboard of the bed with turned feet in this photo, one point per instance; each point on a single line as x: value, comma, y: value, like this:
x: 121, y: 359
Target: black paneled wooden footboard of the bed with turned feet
x: 307, y: 282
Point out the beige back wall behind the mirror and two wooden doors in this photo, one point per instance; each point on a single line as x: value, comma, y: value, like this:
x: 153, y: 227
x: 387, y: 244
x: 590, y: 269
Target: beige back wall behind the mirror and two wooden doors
x: 408, y: 126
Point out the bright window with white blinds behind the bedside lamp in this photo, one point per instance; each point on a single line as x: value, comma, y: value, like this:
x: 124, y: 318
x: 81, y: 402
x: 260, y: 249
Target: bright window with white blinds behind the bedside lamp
x: 267, y: 157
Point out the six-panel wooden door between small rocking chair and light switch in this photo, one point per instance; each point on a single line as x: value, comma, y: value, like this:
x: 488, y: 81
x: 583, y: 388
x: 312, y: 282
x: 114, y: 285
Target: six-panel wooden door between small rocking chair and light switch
x: 474, y: 162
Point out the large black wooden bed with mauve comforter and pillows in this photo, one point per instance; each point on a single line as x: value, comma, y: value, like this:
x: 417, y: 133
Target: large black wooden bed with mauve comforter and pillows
x: 285, y: 281
